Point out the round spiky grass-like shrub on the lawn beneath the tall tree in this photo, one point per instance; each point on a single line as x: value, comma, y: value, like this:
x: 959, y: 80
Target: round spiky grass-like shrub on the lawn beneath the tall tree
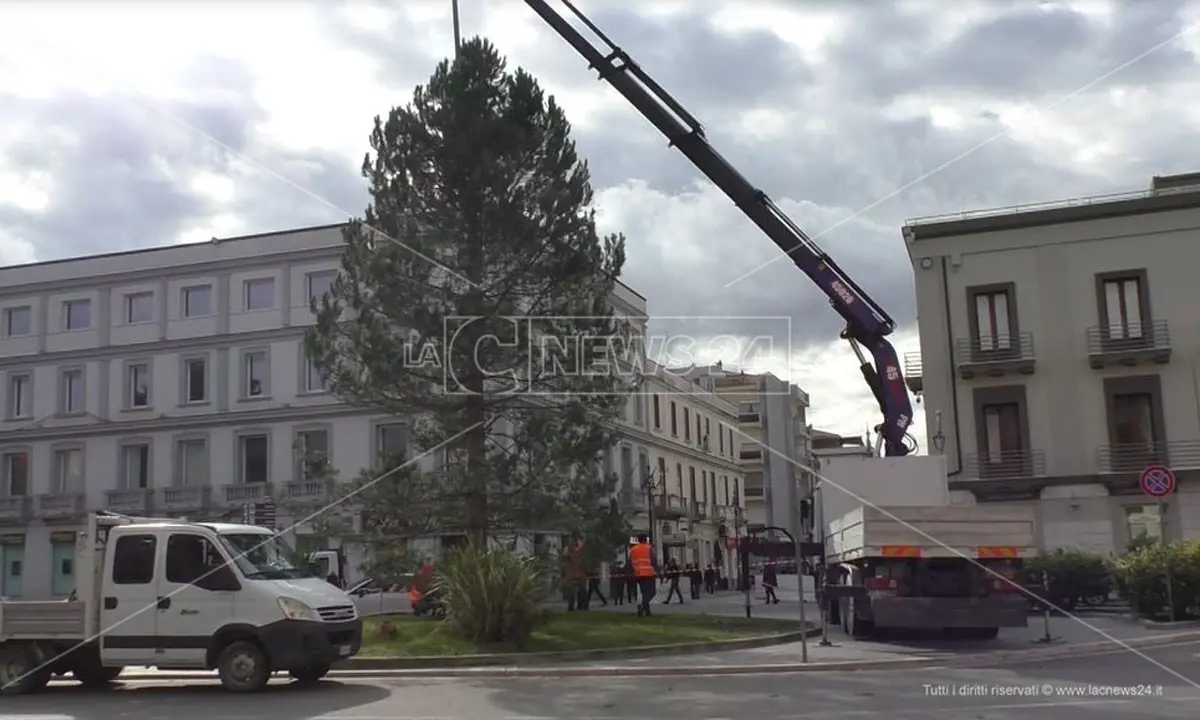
x: 491, y: 595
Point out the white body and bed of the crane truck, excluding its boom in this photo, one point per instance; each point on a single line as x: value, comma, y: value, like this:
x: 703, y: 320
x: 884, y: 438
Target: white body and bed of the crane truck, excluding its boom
x: 914, y: 560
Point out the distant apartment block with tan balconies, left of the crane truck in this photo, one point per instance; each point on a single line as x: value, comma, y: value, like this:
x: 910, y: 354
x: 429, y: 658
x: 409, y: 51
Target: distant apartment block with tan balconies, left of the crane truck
x: 773, y: 443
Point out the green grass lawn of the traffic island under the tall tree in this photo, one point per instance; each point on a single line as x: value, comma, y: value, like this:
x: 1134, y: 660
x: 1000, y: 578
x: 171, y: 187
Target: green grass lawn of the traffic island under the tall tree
x: 567, y: 632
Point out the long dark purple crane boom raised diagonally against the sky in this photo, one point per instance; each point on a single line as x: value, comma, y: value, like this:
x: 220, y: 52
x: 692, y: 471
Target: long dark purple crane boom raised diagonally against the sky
x: 867, y: 323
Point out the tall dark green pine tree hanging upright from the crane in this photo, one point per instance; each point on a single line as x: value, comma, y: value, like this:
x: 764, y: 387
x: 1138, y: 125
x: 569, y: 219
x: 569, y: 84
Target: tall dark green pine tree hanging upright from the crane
x: 481, y: 213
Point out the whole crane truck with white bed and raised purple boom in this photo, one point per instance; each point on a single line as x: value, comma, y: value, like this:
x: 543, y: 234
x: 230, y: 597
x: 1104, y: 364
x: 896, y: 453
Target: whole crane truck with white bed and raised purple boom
x: 907, y: 567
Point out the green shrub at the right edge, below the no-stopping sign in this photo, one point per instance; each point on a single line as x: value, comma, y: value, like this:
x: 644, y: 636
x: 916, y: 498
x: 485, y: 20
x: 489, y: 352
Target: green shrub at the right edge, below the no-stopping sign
x: 1142, y: 578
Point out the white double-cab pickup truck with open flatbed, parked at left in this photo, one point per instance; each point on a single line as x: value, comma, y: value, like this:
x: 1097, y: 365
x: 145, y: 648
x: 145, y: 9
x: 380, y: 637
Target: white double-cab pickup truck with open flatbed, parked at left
x: 181, y: 596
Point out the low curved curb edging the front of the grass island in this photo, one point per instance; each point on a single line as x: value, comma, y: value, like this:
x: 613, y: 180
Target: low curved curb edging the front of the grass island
x: 539, y: 659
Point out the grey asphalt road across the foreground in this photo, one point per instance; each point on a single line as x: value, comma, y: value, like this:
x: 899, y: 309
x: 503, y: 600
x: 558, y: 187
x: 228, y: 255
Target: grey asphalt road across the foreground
x: 1119, y: 687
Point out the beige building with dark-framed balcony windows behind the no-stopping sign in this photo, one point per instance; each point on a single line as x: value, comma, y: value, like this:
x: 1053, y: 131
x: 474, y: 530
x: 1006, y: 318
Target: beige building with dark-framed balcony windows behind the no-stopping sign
x: 1059, y: 358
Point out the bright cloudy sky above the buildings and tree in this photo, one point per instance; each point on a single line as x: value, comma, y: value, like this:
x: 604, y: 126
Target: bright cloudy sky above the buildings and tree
x: 135, y: 124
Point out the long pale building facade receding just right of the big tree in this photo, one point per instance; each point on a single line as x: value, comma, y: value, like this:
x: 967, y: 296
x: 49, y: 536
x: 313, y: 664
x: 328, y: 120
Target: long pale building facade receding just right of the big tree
x: 679, y: 469
